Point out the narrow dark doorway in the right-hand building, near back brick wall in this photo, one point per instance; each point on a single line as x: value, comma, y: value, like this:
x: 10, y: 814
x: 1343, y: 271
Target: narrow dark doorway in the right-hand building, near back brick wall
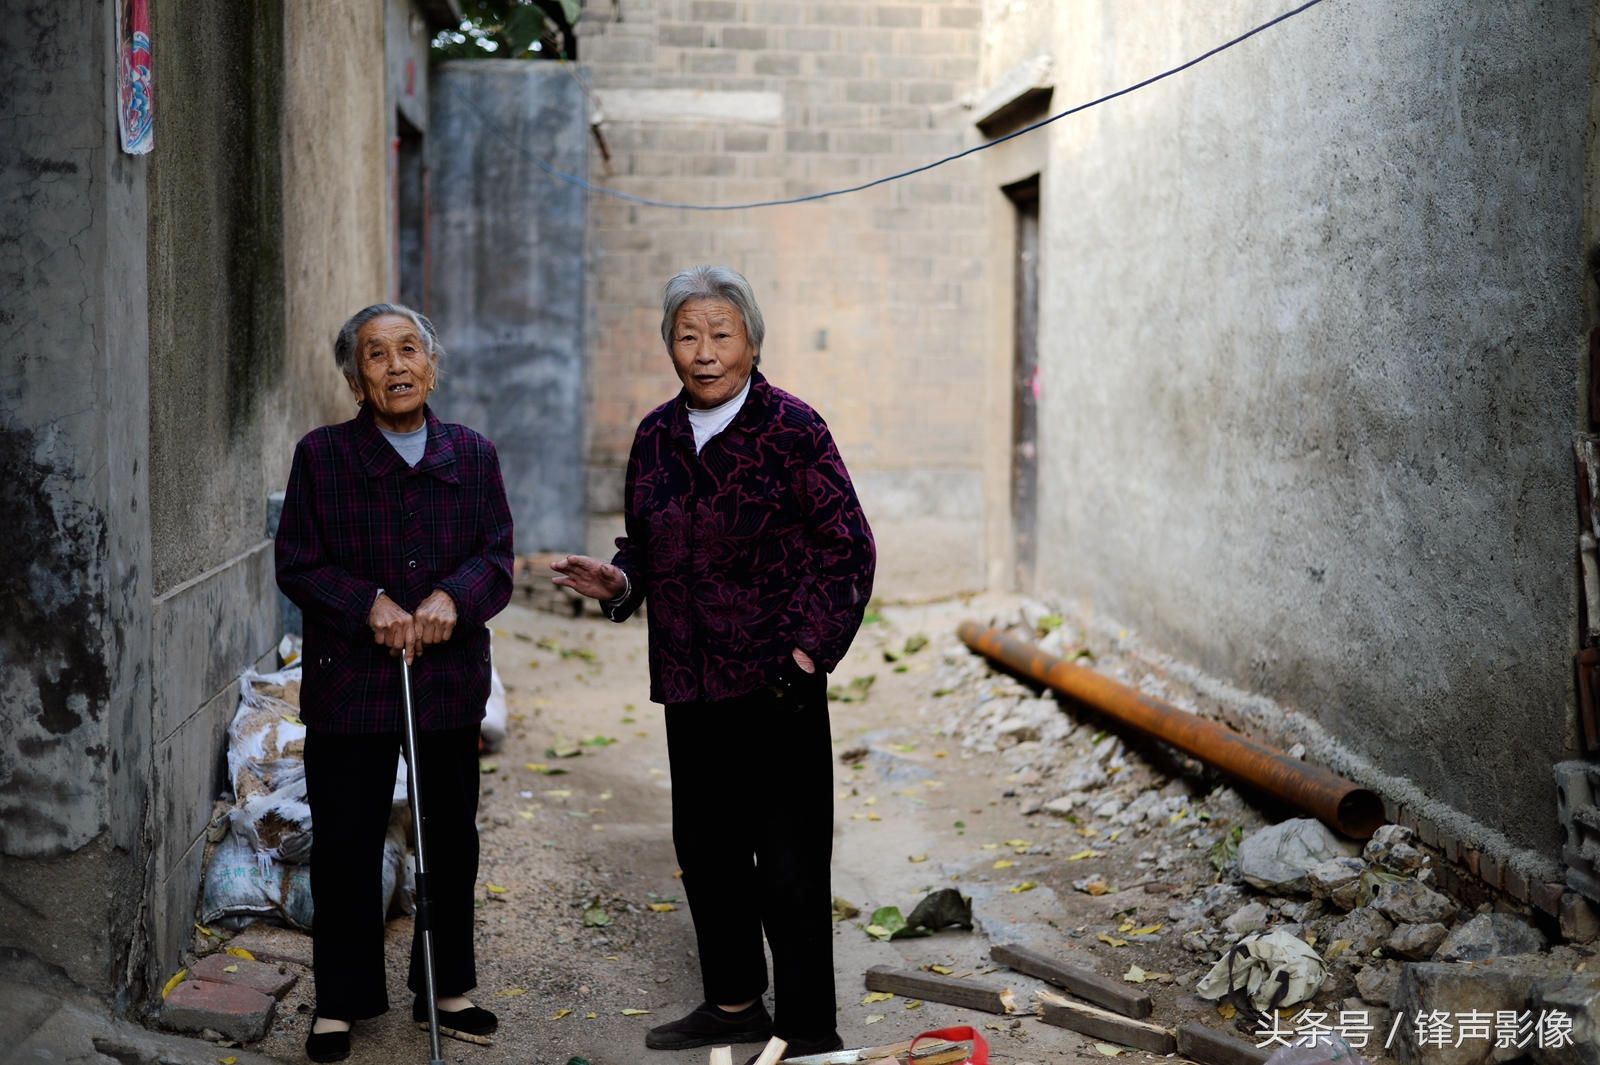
x: 1025, y: 383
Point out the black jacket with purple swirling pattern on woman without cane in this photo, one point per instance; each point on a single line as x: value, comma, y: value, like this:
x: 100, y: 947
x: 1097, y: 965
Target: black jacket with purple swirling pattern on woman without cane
x: 751, y: 549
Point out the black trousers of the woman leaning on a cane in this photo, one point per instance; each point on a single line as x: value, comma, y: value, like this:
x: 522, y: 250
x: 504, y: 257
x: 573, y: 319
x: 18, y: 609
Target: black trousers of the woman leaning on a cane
x: 350, y: 784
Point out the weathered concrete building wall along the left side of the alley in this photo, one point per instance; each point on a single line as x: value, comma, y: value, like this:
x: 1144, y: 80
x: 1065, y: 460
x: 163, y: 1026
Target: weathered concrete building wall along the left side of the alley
x: 151, y: 397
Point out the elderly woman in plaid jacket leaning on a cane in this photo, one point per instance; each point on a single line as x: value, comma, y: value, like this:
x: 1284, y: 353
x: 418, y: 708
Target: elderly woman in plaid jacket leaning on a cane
x: 394, y: 541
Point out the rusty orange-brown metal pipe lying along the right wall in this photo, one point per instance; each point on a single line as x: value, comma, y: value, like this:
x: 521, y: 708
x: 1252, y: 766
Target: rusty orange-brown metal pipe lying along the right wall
x: 1351, y: 810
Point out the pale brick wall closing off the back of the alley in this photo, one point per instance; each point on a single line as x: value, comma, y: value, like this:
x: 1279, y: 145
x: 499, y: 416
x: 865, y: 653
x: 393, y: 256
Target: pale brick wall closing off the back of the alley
x: 873, y: 301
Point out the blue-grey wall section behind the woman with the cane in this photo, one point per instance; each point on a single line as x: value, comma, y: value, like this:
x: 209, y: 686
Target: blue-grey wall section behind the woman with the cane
x: 506, y: 281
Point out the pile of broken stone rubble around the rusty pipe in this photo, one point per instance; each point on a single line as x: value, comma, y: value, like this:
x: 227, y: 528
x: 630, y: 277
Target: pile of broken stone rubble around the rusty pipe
x: 1271, y: 917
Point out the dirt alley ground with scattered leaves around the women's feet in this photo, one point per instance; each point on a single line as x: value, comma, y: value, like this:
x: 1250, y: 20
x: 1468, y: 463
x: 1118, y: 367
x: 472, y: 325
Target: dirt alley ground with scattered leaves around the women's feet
x: 914, y: 815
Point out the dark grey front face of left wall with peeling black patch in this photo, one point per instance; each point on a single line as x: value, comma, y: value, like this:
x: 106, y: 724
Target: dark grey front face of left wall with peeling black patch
x: 74, y: 421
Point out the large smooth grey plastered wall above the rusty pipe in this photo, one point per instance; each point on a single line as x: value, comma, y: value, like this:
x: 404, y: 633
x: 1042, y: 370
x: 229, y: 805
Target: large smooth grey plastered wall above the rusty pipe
x: 1311, y: 338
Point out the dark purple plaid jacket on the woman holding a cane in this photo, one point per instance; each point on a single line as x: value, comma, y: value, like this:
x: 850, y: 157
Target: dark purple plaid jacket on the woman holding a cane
x: 358, y: 519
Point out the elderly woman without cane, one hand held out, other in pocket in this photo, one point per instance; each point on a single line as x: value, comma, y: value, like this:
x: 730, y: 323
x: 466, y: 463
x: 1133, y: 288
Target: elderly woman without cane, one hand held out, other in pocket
x: 754, y: 559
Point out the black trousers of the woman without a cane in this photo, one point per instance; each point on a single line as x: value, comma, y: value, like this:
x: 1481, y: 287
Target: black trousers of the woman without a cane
x: 753, y: 823
